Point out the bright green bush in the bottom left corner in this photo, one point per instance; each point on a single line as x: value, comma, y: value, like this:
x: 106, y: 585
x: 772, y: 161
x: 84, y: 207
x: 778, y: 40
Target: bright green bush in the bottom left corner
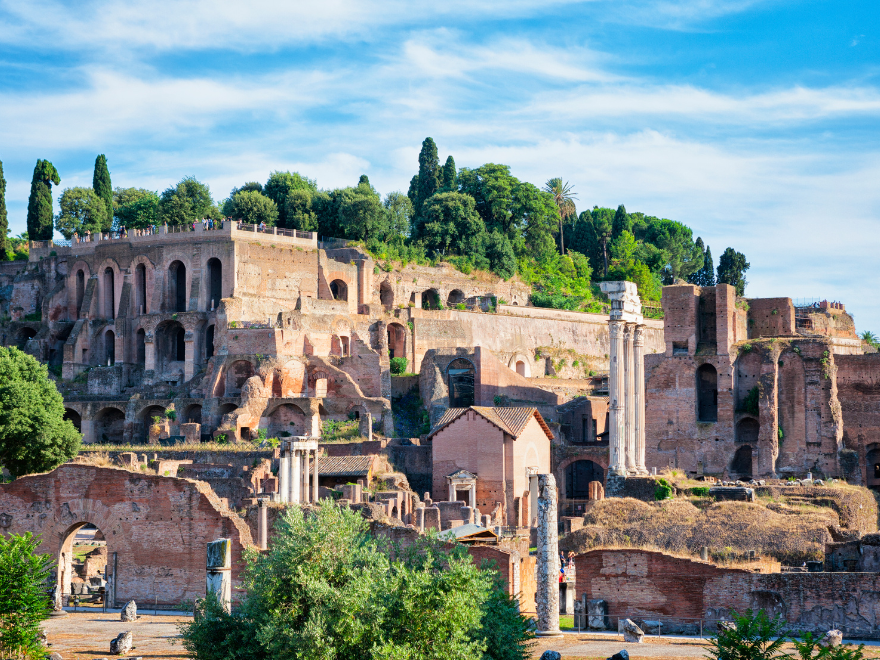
x: 23, y: 598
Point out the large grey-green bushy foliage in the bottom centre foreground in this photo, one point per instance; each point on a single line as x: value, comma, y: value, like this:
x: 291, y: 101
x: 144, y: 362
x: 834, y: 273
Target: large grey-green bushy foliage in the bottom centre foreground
x: 327, y: 589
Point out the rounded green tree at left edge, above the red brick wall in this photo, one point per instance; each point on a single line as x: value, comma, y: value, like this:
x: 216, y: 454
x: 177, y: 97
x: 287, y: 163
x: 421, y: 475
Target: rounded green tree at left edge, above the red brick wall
x: 34, y: 436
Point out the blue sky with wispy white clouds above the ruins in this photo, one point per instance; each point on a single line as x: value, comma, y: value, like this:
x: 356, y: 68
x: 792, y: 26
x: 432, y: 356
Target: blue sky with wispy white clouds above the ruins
x: 753, y: 122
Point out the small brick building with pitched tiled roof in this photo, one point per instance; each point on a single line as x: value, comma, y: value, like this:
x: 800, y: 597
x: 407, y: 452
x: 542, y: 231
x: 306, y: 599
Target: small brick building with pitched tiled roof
x: 496, y: 449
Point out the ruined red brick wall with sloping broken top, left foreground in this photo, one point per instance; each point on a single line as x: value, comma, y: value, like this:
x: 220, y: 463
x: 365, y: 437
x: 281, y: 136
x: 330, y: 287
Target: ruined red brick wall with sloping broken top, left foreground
x: 137, y: 514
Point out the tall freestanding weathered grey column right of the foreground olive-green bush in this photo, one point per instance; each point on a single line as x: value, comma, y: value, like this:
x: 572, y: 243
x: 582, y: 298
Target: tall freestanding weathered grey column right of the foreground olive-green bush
x: 547, y: 594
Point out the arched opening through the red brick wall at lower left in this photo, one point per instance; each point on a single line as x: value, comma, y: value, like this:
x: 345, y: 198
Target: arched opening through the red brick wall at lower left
x: 82, y: 565
